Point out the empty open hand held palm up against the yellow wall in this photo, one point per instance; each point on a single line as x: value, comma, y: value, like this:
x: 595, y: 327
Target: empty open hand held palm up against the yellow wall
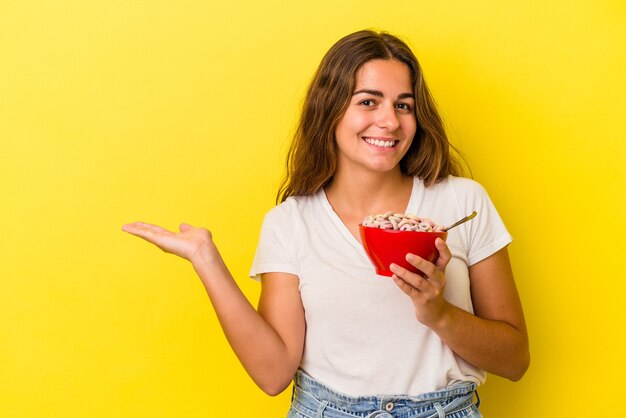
x: 188, y: 243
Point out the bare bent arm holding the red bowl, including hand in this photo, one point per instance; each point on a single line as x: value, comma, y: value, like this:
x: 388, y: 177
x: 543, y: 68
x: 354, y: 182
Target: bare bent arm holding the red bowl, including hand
x: 495, y: 338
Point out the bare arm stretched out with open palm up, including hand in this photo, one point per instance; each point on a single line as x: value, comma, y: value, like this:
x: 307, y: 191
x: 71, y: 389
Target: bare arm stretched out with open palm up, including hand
x: 268, y: 342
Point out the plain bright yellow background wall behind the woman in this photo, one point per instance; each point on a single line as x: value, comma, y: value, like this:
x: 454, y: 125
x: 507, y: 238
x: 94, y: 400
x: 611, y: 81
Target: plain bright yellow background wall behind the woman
x: 115, y: 111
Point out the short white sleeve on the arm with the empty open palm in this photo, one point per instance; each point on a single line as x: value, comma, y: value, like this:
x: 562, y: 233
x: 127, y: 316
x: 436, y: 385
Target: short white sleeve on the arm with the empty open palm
x: 275, y: 251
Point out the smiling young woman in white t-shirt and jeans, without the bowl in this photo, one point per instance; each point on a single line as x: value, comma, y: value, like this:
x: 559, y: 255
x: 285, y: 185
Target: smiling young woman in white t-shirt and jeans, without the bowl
x: 357, y: 344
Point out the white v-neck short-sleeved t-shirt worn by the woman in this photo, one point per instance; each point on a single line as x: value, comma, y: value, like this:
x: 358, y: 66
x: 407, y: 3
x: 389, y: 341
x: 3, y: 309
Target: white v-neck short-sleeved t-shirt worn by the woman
x: 362, y: 337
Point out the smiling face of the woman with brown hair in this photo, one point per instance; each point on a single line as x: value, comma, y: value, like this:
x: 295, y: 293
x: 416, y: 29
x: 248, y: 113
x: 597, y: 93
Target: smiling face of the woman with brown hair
x: 379, y: 124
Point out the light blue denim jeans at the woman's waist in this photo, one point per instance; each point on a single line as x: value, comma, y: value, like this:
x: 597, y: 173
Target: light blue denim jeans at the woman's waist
x: 313, y: 400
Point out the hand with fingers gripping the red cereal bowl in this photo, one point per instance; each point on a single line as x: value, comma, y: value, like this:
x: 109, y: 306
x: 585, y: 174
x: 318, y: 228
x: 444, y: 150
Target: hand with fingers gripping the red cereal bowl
x: 426, y: 292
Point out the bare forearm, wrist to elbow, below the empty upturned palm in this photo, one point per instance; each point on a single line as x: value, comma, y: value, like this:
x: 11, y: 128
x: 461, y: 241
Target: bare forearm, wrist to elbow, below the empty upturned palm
x: 258, y: 346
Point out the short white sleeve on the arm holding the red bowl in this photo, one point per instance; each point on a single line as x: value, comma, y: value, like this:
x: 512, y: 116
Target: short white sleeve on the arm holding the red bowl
x: 485, y: 234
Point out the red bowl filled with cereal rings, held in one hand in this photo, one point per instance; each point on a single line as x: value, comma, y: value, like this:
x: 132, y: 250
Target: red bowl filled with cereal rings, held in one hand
x: 386, y: 246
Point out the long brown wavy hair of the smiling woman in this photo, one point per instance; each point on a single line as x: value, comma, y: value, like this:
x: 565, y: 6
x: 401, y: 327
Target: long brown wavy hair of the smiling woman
x: 312, y: 157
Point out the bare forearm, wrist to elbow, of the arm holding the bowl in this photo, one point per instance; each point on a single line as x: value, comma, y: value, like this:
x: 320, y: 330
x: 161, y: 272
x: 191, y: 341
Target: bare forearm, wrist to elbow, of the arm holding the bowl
x: 495, y: 346
